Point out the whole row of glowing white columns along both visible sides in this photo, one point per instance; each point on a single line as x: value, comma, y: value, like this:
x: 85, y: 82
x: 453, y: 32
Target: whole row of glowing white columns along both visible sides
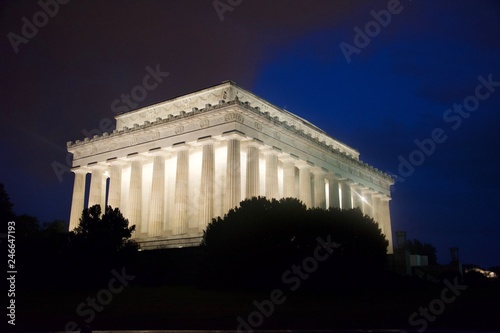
x: 311, y: 190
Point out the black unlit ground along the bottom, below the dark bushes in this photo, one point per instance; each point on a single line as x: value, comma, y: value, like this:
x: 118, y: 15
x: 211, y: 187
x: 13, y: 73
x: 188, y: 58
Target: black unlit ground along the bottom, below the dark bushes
x: 162, y: 308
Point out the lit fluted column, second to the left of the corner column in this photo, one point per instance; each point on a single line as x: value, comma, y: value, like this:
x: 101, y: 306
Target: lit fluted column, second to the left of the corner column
x: 181, y: 198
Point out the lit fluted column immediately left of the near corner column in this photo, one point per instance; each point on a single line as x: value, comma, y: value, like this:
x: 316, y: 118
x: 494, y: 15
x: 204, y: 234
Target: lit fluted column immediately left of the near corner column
x: 206, y: 209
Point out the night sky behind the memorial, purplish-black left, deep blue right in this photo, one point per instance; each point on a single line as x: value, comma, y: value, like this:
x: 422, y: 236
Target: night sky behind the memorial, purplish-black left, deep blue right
x: 396, y: 90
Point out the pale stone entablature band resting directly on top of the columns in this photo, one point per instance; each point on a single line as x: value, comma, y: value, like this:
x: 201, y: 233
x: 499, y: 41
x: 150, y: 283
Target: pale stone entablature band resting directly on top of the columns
x: 234, y: 111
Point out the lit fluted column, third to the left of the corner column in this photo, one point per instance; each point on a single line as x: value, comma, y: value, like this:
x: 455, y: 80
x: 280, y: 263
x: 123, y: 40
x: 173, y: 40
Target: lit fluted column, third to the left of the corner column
x: 157, y: 200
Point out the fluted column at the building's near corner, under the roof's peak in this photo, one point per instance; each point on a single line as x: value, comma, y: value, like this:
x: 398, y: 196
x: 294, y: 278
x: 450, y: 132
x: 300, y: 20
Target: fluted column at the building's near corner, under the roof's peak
x: 233, y: 174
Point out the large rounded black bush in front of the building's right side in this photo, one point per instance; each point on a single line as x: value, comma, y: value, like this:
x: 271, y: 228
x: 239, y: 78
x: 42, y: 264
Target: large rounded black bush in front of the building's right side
x: 254, y: 244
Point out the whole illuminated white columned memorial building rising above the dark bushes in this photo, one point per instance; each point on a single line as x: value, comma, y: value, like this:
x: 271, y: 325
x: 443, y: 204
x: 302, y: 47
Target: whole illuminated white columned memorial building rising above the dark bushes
x: 173, y: 166
